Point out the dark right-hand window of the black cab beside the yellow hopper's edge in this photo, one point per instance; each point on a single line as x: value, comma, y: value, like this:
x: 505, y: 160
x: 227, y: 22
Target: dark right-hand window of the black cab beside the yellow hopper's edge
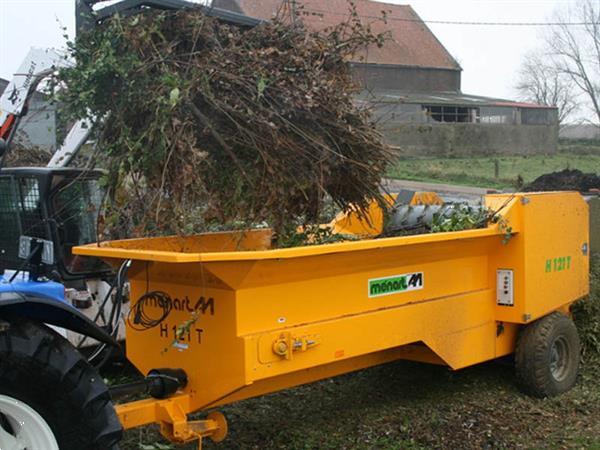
x: 76, y: 207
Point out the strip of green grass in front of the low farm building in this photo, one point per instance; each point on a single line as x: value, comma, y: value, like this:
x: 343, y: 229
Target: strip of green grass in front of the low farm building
x: 480, y: 171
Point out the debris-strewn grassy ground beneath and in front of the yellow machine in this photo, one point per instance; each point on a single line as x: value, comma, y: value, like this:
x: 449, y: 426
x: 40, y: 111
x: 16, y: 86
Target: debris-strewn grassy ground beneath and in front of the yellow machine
x: 406, y: 405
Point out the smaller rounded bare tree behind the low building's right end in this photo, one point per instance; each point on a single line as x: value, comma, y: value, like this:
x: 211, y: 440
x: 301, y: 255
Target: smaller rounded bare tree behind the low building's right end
x: 544, y: 84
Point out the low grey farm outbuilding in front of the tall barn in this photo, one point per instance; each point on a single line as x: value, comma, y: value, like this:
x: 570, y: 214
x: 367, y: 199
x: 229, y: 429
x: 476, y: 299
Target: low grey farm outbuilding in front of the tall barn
x: 447, y: 123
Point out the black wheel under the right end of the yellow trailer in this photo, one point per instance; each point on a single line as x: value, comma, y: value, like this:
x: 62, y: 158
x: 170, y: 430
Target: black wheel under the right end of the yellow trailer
x: 547, y: 356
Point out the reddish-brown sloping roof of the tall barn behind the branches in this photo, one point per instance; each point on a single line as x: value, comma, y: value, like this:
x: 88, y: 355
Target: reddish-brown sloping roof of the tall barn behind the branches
x: 411, y: 42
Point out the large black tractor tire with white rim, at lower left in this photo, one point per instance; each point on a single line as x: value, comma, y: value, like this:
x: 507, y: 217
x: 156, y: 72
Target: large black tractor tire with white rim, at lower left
x: 41, y: 369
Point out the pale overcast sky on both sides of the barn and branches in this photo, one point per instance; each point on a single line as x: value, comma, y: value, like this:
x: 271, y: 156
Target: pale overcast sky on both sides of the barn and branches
x: 490, y: 56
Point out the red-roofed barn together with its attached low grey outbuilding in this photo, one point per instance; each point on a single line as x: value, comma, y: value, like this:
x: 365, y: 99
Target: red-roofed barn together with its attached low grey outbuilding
x: 414, y: 84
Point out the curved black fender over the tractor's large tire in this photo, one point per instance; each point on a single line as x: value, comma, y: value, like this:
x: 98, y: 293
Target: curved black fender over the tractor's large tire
x: 51, y: 312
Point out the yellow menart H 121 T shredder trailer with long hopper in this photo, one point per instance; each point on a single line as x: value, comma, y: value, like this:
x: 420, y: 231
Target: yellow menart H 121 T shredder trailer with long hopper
x: 222, y: 317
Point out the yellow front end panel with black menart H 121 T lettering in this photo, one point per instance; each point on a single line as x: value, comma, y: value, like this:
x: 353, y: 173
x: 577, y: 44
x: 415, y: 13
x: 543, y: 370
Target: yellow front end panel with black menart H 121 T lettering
x: 209, y: 350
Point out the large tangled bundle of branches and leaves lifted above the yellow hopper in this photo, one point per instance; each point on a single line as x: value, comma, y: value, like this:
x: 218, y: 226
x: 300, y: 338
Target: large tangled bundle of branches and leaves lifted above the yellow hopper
x: 204, y: 122
